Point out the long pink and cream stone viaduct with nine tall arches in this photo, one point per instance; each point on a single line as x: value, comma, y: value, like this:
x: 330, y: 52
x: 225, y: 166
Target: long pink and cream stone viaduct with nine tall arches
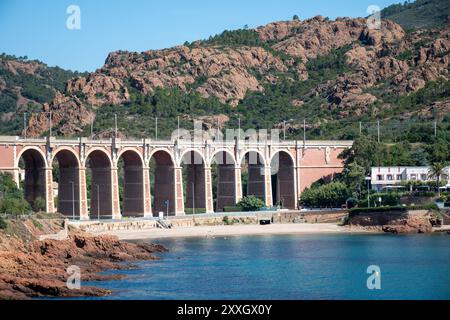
x: 203, y: 174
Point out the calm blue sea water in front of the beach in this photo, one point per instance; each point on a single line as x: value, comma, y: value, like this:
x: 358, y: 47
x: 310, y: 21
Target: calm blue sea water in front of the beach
x: 291, y: 267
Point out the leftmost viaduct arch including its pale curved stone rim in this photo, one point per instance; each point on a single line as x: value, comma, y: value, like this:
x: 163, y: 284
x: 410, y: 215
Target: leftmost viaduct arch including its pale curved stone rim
x: 35, y: 165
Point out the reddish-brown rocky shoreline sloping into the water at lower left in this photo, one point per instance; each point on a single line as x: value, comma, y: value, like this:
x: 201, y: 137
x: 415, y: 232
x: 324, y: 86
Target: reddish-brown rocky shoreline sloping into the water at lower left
x: 32, y: 268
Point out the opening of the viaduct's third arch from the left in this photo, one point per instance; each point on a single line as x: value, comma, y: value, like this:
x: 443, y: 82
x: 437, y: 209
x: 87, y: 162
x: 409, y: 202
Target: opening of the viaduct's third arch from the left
x: 98, y: 171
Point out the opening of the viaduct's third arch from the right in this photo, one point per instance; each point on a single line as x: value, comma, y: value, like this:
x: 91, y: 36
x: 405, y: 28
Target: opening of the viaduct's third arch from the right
x: 224, y: 181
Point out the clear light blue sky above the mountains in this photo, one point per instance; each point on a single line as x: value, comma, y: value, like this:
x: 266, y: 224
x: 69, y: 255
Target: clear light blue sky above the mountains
x: 37, y: 29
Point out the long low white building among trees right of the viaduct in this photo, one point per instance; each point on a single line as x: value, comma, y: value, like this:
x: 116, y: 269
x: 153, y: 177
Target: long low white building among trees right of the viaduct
x: 383, y: 177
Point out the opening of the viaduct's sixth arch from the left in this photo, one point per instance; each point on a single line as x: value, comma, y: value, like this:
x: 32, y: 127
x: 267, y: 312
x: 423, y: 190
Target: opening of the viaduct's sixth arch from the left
x: 194, y: 187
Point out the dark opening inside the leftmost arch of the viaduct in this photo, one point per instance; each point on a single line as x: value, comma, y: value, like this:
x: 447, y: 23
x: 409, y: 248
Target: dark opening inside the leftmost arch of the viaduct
x: 32, y: 163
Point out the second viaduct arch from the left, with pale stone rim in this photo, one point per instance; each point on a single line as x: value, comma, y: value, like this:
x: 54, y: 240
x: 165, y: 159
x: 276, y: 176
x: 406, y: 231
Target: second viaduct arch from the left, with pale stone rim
x: 68, y: 182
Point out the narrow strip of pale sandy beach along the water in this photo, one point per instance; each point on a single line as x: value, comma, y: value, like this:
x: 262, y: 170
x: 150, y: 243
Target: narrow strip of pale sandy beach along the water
x: 233, y: 230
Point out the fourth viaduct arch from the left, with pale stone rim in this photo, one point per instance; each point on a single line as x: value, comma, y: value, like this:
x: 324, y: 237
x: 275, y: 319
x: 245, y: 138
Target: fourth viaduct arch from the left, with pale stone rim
x: 132, y: 182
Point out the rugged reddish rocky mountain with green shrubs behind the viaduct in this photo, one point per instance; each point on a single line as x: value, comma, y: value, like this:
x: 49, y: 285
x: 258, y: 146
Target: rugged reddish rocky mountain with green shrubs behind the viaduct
x: 319, y: 69
